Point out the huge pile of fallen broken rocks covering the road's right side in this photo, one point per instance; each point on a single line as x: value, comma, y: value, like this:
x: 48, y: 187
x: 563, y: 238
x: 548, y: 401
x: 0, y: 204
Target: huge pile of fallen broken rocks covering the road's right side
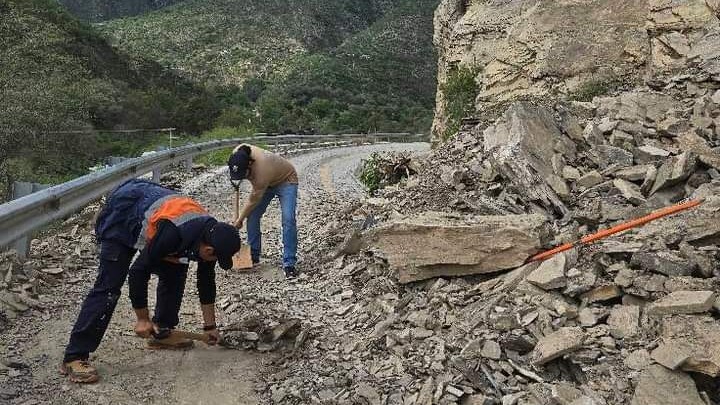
x: 629, y: 320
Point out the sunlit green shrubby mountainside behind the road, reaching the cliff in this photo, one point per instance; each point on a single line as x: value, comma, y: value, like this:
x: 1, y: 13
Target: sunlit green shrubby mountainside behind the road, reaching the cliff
x: 287, y: 65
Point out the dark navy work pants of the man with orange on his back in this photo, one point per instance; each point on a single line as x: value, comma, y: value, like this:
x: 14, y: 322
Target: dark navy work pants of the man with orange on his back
x: 100, y: 303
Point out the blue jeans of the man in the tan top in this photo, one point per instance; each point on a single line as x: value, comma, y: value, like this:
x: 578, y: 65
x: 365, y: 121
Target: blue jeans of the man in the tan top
x: 287, y: 194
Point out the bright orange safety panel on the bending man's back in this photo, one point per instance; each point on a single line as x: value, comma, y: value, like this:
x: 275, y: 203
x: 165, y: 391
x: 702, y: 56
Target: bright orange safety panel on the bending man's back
x: 176, y: 208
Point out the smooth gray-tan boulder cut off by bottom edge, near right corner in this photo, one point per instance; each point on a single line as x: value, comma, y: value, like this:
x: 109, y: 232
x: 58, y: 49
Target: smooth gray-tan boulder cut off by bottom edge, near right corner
x: 660, y: 386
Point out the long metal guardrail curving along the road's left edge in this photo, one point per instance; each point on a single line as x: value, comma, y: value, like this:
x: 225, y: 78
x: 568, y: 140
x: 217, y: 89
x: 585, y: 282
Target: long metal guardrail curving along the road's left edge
x: 19, y: 218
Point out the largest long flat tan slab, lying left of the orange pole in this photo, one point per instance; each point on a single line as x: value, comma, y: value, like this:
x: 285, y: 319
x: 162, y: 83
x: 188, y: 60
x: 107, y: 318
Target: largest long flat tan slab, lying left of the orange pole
x: 438, y: 245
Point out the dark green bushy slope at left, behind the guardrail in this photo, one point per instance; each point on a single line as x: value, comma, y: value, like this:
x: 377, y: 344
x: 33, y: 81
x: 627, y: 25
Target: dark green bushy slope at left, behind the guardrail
x: 59, y: 74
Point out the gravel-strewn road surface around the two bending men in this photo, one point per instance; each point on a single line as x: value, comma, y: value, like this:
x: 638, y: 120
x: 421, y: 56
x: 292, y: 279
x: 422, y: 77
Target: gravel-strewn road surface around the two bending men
x: 31, y: 345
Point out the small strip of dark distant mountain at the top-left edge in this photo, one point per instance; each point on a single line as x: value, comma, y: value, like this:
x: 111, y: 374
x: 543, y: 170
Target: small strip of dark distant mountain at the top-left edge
x: 101, y: 10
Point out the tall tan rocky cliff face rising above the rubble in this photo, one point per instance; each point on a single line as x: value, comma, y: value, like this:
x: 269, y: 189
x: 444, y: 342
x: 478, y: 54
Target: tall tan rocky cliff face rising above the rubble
x: 568, y: 49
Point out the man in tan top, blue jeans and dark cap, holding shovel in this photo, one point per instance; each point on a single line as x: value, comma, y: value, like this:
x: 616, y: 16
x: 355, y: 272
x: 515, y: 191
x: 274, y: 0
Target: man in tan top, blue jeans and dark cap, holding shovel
x: 270, y: 175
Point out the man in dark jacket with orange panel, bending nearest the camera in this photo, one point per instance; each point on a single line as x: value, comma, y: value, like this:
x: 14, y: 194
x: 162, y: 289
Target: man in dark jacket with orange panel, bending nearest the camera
x: 169, y: 230
